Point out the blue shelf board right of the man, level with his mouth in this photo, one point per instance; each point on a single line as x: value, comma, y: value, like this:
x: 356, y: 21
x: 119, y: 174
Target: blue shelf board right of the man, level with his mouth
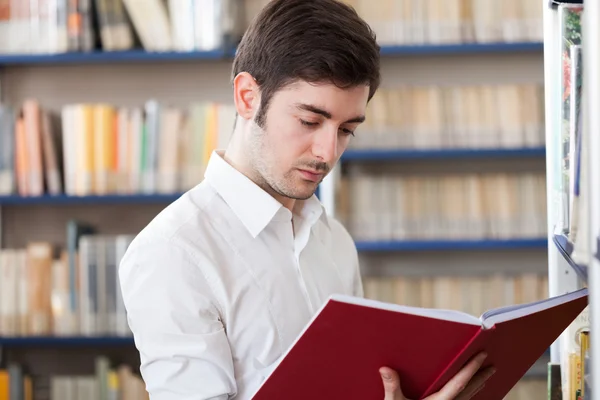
x: 416, y: 154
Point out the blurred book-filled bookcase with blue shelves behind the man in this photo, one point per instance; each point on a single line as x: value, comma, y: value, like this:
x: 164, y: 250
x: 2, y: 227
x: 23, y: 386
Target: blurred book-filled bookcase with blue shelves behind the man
x: 111, y: 108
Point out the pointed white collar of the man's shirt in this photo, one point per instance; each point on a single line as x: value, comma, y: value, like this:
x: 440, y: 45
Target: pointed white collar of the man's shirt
x: 250, y: 203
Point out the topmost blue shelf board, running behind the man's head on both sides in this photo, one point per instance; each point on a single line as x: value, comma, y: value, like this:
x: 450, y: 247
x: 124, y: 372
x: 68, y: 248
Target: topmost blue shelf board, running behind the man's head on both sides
x: 135, y: 56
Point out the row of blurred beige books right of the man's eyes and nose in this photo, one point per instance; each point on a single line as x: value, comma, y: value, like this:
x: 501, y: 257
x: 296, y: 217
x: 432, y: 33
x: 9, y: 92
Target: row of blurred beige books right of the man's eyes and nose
x: 454, y: 116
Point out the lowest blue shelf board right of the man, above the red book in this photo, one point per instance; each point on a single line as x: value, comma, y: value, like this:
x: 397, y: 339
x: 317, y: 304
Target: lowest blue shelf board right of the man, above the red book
x: 438, y: 245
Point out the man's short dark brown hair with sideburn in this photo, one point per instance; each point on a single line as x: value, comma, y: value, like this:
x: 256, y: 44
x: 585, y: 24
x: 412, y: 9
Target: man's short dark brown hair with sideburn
x: 317, y: 41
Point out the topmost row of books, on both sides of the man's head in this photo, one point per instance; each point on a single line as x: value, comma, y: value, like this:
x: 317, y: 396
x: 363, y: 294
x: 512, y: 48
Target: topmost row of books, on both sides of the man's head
x: 202, y: 25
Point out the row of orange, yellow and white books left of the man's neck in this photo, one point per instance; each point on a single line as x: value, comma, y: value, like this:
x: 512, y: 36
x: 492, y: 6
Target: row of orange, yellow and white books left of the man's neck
x: 99, y: 149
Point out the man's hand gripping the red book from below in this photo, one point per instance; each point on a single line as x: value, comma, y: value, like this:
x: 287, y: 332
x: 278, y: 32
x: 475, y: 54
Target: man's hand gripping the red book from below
x: 462, y: 386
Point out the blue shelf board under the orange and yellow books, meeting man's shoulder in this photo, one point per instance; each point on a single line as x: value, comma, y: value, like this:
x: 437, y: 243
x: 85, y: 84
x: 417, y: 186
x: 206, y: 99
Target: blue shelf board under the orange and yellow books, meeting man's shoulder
x: 85, y: 200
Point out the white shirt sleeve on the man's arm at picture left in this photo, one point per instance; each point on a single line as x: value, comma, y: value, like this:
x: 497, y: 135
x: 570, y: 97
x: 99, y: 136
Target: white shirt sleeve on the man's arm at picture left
x: 176, y: 324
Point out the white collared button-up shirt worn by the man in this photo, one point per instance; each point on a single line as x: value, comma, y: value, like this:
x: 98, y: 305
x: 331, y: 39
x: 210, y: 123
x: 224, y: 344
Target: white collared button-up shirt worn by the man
x: 217, y: 287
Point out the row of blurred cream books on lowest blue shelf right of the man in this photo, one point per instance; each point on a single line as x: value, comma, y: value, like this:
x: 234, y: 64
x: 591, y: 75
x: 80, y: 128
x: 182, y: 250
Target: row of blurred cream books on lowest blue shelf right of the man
x: 443, y: 206
